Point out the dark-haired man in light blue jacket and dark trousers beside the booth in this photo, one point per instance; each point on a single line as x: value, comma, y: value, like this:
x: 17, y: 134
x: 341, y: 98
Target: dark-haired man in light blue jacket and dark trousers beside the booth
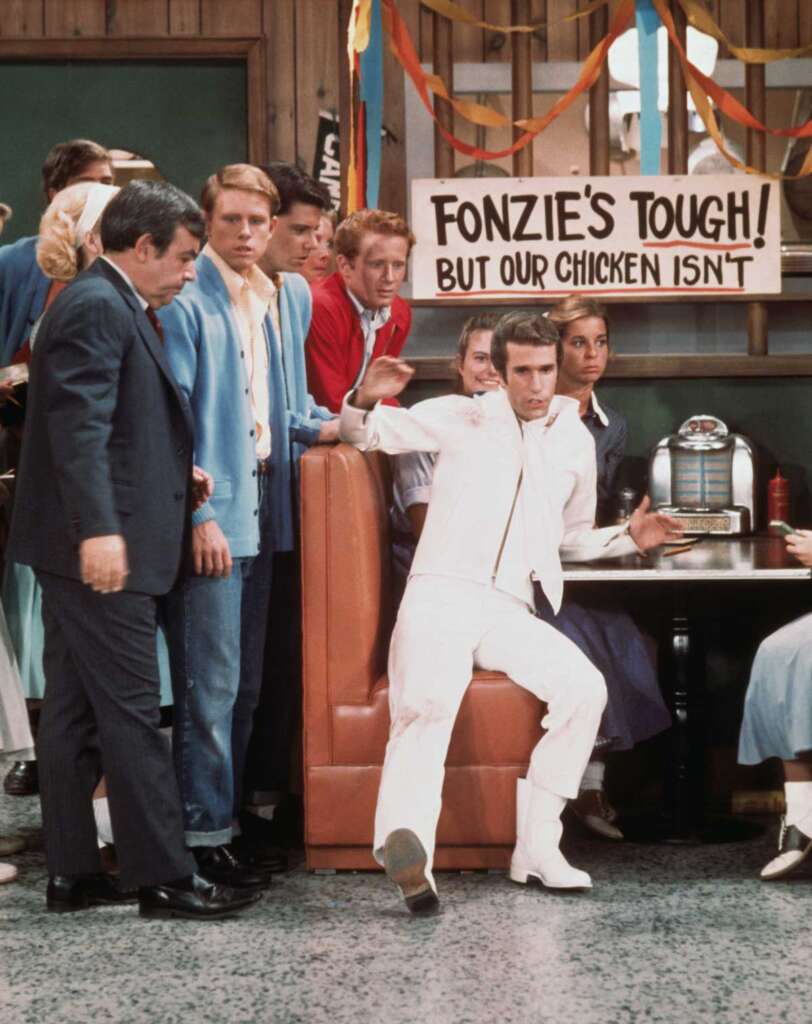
x: 268, y: 785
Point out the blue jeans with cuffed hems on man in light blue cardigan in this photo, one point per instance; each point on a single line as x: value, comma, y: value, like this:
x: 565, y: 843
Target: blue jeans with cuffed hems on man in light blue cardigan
x: 217, y: 635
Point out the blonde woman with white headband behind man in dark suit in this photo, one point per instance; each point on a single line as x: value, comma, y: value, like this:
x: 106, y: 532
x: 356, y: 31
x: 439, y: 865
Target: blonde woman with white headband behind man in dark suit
x: 69, y: 242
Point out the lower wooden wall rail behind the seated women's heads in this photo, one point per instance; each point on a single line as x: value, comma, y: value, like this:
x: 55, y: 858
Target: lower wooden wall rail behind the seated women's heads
x: 659, y: 367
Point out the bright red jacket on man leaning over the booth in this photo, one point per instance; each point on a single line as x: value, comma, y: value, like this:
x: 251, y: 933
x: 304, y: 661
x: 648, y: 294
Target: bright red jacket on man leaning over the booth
x: 335, y: 346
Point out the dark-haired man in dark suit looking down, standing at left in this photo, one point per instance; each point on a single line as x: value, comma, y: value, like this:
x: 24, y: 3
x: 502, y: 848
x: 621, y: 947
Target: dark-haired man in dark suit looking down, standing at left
x: 103, y: 515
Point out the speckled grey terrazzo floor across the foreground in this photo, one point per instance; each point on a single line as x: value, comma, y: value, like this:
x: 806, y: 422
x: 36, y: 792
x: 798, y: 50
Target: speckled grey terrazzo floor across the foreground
x: 668, y: 935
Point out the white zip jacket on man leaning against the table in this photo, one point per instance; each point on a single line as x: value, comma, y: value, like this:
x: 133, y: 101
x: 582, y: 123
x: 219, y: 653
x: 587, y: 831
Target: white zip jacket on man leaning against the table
x: 482, y: 450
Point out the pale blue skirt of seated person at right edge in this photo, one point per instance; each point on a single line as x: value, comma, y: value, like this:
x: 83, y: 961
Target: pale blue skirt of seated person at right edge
x: 778, y: 719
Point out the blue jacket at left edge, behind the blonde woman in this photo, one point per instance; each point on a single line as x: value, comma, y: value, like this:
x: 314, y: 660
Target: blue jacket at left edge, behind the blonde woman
x: 24, y: 289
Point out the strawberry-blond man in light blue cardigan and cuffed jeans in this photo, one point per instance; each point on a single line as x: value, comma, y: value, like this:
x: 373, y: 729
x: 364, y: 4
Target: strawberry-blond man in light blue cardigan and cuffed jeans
x: 220, y: 342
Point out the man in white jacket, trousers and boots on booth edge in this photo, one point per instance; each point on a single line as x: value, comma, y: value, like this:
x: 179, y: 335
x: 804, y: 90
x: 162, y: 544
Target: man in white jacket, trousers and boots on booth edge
x: 516, y: 483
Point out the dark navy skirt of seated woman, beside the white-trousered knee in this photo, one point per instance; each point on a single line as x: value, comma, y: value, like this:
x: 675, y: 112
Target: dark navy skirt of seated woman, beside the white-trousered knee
x: 635, y: 709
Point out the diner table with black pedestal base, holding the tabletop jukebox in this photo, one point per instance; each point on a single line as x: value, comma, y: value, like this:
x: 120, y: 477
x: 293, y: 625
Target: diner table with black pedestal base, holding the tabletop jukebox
x: 718, y: 563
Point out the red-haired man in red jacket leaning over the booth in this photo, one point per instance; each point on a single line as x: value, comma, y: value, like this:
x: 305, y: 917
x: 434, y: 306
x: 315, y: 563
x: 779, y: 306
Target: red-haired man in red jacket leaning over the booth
x: 358, y: 315
